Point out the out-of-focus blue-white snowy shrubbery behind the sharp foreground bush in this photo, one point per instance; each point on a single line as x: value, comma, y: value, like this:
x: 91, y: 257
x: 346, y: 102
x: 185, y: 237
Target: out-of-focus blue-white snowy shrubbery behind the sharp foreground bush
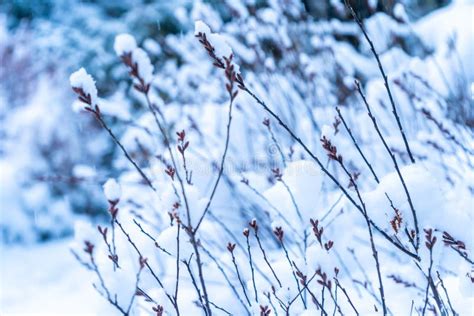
x: 52, y: 161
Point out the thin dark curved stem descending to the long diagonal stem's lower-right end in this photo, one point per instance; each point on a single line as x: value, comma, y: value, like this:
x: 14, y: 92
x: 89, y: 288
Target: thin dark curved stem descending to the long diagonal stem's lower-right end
x: 395, y: 163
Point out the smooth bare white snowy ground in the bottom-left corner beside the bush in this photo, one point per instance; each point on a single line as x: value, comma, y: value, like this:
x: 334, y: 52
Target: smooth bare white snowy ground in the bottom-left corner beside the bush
x: 44, y: 279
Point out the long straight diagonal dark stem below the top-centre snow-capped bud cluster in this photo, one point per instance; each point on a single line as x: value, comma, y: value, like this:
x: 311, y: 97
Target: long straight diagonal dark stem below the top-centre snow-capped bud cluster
x: 333, y: 179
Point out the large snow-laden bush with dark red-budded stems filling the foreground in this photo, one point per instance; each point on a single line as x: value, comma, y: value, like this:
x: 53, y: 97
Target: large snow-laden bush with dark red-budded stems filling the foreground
x: 245, y: 190
